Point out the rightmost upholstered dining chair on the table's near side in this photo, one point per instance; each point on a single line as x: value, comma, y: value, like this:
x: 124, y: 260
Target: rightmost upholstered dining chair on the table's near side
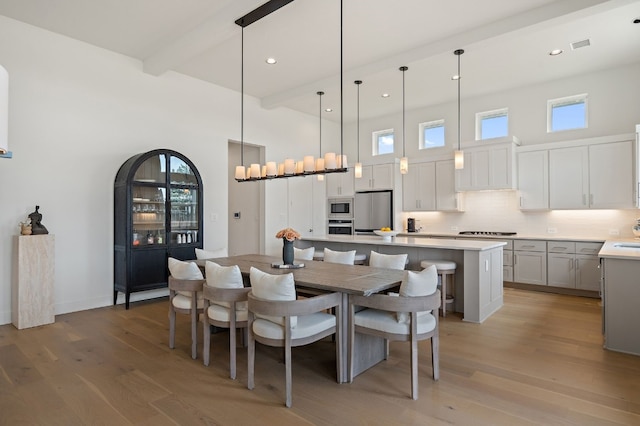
x: 404, y: 317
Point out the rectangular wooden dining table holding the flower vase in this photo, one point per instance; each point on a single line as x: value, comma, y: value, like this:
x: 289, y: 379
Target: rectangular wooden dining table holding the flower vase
x: 320, y: 277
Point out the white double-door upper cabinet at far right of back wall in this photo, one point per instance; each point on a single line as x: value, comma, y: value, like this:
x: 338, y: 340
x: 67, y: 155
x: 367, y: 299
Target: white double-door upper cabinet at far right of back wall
x: 598, y: 176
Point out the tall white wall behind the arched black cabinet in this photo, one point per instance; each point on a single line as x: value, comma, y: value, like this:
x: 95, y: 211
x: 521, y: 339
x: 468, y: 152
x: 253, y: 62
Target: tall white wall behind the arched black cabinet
x: 77, y: 112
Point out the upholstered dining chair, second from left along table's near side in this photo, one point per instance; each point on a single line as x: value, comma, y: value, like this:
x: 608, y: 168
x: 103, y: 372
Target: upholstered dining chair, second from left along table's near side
x: 225, y: 305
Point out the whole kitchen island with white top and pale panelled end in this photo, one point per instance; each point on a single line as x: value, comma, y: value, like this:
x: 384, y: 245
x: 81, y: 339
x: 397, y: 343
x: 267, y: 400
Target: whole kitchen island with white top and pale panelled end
x: 478, y: 278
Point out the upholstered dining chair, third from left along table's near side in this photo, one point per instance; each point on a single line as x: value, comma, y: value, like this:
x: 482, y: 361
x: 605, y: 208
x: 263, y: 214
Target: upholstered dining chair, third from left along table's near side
x: 277, y: 319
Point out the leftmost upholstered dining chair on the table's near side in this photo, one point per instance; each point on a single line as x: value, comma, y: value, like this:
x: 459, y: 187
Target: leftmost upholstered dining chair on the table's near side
x: 185, y: 297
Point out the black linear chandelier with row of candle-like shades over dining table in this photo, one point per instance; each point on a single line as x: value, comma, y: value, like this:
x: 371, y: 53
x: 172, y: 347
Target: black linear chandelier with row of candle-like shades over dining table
x: 330, y: 163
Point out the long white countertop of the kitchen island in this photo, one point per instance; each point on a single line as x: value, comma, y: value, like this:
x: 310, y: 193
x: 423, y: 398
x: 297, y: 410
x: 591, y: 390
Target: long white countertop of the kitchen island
x: 418, y: 242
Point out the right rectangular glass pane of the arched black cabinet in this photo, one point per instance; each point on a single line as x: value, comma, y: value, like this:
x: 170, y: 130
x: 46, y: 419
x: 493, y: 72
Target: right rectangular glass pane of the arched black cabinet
x: 184, y: 215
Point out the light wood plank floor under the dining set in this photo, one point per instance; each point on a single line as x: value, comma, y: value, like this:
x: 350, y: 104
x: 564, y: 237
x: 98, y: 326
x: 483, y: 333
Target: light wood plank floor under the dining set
x: 539, y: 360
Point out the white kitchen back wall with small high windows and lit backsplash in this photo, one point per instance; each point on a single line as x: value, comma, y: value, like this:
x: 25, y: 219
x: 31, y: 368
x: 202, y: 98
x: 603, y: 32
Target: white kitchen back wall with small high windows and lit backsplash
x: 614, y: 109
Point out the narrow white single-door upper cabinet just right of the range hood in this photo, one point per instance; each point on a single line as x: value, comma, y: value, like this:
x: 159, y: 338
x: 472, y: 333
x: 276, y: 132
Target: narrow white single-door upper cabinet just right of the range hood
x: 533, y: 180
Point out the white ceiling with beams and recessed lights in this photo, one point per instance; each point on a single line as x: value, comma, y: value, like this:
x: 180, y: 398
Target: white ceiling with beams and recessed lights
x: 506, y: 44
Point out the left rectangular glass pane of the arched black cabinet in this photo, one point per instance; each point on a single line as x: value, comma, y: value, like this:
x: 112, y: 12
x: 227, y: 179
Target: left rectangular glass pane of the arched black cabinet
x: 148, y: 215
